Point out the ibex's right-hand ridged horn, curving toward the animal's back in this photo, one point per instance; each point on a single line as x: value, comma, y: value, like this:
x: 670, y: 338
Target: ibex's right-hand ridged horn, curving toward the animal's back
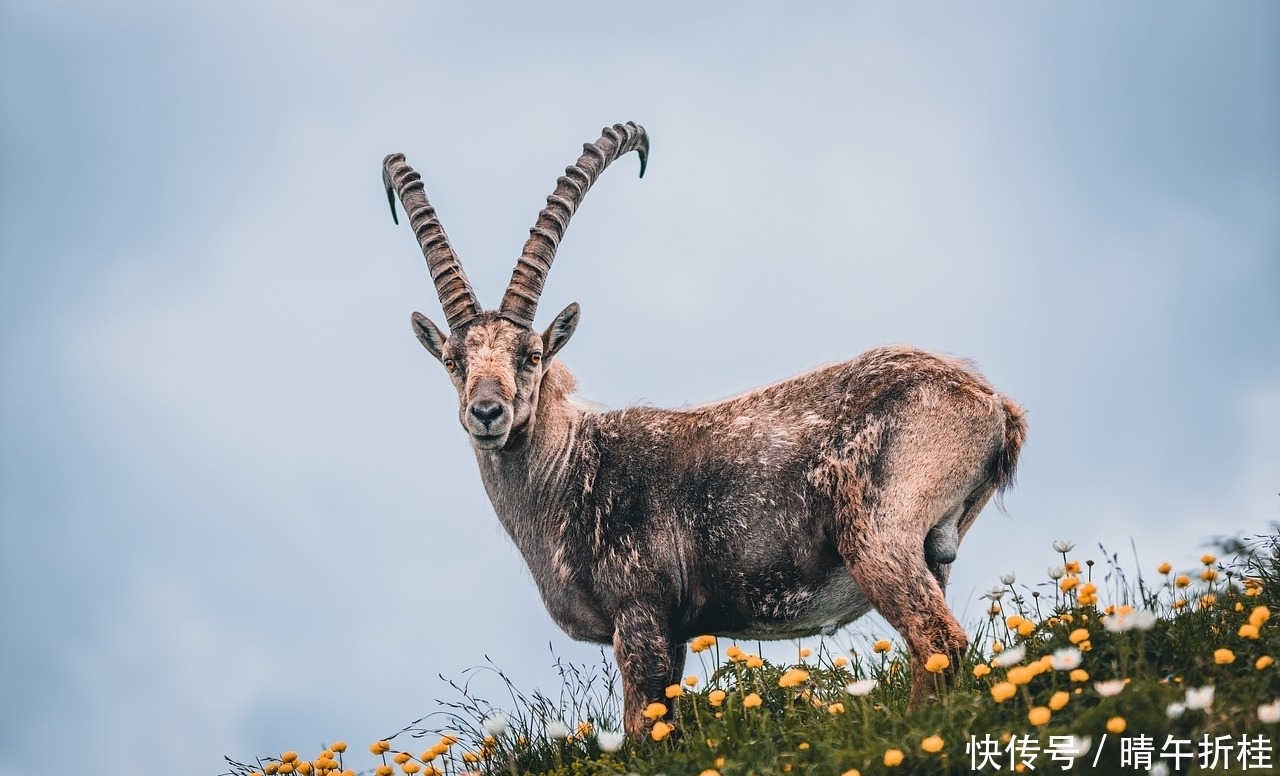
x: 520, y: 303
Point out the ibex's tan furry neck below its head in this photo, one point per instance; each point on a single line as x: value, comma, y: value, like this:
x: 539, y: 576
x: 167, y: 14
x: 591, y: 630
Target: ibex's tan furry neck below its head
x: 528, y: 480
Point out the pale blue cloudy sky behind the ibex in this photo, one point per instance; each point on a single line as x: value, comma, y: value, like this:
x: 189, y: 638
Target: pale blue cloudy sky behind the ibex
x: 237, y: 514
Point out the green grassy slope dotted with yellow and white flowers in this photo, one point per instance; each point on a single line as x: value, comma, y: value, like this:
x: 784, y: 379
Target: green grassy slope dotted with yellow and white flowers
x: 816, y: 727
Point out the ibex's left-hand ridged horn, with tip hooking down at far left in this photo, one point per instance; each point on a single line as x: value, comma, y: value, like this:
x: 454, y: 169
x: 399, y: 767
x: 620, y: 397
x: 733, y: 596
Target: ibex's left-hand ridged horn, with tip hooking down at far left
x: 451, y: 284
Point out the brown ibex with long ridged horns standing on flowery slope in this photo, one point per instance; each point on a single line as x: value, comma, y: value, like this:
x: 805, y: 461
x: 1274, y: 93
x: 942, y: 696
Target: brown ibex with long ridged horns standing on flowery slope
x: 783, y: 513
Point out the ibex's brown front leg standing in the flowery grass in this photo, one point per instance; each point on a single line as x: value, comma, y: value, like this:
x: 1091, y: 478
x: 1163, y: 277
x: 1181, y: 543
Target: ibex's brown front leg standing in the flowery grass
x: 650, y: 663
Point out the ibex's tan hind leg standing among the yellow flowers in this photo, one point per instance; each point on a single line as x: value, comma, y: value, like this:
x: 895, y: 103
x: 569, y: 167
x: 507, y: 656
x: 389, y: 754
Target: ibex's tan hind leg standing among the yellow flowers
x: 889, y: 564
